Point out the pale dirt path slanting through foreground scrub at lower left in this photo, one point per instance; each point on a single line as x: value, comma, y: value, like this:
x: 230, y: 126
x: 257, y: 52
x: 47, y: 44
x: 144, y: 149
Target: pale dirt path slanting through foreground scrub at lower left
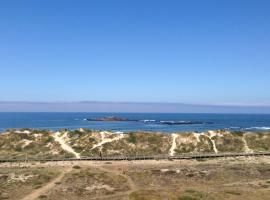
x: 36, y: 193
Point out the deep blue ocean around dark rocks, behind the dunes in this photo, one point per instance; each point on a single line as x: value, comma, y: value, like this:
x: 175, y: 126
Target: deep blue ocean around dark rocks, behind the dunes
x: 144, y: 121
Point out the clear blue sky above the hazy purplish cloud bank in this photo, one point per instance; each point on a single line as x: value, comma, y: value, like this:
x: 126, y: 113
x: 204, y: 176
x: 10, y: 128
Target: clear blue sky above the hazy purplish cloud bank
x: 188, y: 51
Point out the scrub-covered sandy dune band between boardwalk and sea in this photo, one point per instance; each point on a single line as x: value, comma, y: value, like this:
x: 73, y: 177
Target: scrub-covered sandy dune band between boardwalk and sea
x: 84, y: 142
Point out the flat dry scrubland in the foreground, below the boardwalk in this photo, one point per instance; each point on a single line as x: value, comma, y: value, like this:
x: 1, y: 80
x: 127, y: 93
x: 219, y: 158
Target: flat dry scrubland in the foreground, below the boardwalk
x: 230, y: 178
